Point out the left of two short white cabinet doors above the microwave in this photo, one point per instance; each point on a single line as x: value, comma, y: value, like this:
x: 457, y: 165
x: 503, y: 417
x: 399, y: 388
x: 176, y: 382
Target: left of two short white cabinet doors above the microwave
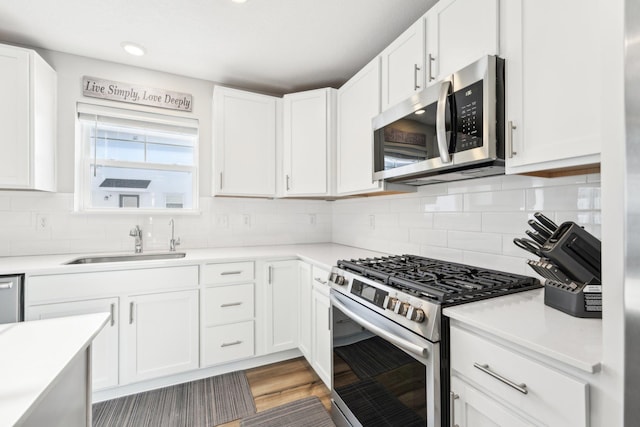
x: 403, y: 64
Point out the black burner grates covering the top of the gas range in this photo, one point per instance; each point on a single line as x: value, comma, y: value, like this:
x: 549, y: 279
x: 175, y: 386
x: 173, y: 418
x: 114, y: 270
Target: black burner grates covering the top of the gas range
x: 440, y: 281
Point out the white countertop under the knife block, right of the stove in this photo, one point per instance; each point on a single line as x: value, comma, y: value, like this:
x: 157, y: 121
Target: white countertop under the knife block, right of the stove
x: 525, y: 320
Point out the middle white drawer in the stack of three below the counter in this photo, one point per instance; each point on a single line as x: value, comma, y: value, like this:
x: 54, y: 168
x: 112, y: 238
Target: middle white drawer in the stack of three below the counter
x: 228, y: 304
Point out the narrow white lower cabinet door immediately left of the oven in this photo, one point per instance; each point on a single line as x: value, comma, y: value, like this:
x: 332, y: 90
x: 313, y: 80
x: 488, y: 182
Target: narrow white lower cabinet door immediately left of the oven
x: 322, y: 334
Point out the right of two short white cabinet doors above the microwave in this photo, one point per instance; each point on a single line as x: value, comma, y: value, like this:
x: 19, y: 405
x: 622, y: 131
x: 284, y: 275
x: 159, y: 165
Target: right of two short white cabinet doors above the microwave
x: 458, y: 33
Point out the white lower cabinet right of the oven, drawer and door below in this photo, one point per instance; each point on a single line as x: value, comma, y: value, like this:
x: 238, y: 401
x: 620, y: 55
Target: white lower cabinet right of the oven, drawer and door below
x: 497, y: 386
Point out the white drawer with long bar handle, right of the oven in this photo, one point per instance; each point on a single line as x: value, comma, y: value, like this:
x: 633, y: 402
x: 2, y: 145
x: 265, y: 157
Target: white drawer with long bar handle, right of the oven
x: 552, y: 397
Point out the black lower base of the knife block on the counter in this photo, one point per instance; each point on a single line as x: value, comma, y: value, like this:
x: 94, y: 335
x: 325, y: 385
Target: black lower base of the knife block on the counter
x: 584, y: 301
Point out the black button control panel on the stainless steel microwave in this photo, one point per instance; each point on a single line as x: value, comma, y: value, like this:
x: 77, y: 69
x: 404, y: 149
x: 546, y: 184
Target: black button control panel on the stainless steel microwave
x: 469, y: 121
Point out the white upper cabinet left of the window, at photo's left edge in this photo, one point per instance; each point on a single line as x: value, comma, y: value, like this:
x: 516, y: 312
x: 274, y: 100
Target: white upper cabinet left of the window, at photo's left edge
x: 27, y: 121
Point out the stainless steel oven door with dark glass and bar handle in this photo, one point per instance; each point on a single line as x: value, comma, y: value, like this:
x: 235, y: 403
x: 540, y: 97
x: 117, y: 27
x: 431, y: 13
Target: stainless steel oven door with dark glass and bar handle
x: 383, y: 374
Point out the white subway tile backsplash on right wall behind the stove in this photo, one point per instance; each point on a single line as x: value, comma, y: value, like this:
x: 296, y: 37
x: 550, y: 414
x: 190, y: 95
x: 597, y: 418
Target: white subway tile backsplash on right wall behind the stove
x: 473, y: 221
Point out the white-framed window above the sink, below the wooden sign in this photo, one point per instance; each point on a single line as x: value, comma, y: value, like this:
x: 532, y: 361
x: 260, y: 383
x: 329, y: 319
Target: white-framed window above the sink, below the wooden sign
x: 132, y: 160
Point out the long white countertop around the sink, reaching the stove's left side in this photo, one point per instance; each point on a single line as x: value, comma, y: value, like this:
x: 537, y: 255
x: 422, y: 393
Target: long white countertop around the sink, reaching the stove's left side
x: 323, y: 255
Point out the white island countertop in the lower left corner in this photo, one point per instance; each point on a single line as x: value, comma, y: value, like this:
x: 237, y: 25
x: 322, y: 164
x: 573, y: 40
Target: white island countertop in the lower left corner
x: 33, y: 354
